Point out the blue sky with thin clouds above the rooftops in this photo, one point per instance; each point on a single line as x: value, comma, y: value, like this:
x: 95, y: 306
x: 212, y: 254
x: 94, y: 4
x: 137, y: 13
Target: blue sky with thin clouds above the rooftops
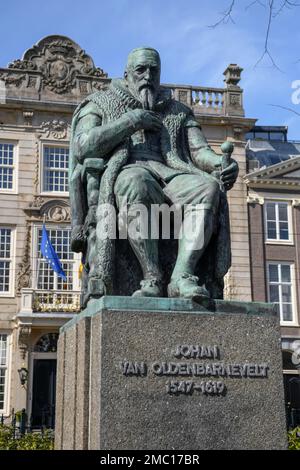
x: 192, y: 53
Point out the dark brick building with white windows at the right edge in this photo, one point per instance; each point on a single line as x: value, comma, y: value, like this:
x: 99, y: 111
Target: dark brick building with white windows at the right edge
x: 273, y: 182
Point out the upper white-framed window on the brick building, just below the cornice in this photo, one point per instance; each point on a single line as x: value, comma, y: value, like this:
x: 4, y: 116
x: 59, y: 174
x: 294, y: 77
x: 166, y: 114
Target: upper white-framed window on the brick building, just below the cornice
x: 277, y: 216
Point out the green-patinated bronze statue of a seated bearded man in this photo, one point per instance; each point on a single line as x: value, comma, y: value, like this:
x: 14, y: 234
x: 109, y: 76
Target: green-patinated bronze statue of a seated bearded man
x: 132, y: 143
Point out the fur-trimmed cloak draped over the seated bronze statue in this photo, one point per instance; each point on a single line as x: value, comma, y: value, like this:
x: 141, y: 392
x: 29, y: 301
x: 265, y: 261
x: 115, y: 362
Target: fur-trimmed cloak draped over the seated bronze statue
x: 112, y: 103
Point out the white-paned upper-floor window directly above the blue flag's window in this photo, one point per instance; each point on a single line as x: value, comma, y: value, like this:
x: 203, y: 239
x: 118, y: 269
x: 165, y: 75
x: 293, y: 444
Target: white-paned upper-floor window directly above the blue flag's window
x: 55, y: 169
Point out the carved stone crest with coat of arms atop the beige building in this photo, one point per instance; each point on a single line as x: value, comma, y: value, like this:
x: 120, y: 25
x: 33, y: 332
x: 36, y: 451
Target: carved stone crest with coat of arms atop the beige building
x: 60, y: 61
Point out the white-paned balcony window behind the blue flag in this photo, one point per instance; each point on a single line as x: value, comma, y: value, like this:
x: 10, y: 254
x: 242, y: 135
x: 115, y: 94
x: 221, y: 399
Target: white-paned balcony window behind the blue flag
x: 47, y: 279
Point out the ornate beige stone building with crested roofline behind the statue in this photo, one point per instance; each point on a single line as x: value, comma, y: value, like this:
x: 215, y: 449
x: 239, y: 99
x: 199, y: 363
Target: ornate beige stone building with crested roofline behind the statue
x: 38, y: 95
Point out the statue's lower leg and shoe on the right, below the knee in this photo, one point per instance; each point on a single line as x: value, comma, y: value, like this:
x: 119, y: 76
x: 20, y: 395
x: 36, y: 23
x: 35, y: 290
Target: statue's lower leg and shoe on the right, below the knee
x: 191, y: 246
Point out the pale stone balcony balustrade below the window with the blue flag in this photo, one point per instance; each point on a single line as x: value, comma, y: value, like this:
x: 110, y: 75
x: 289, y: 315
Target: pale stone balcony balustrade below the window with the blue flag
x: 49, y: 301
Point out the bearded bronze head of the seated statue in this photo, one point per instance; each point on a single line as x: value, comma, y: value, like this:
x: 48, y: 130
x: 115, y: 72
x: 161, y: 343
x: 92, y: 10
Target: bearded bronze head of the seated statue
x: 143, y: 76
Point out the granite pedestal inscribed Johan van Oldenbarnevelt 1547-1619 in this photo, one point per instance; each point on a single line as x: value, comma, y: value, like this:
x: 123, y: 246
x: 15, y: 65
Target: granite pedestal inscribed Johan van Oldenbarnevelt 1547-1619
x: 169, y: 374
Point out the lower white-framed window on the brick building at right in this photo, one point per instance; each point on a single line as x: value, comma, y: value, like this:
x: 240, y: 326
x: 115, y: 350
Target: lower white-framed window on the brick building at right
x: 281, y: 290
